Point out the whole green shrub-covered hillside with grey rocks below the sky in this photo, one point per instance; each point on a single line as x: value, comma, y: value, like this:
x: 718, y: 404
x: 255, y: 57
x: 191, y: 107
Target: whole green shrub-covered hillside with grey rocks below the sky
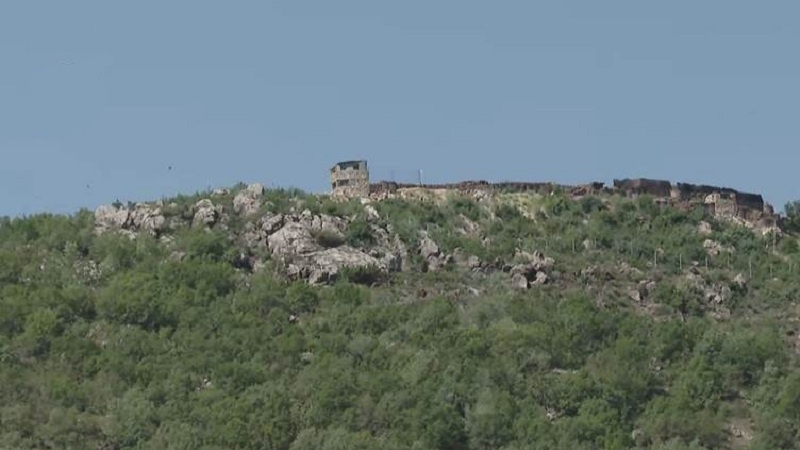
x: 468, y: 316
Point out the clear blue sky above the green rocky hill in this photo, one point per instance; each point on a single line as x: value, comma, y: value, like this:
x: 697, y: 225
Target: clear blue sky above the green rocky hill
x: 109, y: 94
